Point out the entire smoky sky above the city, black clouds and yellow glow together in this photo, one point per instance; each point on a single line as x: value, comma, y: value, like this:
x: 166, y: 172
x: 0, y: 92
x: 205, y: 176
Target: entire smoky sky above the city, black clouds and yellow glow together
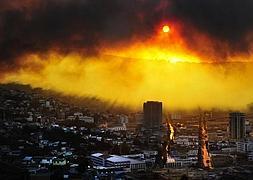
x: 118, y: 50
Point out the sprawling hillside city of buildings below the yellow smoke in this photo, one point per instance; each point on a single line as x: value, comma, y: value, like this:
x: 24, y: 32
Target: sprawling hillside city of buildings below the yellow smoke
x: 44, y: 136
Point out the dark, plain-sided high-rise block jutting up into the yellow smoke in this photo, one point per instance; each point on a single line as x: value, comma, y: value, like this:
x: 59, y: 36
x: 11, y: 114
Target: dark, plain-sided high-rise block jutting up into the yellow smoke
x: 152, y: 114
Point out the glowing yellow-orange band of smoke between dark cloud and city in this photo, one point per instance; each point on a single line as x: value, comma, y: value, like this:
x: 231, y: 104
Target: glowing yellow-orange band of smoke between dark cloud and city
x: 142, y: 71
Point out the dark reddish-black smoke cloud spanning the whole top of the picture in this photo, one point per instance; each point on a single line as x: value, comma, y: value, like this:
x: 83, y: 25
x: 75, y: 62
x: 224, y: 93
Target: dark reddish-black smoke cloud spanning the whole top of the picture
x: 37, y: 26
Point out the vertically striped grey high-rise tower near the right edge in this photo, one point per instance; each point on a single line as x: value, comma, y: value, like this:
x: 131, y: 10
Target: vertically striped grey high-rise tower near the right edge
x: 237, y: 125
